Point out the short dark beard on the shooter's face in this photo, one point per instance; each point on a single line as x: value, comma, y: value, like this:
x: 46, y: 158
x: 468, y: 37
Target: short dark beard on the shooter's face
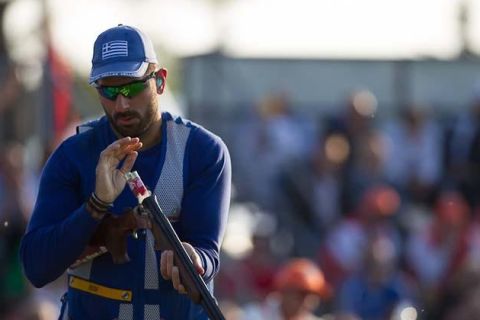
x: 138, y: 125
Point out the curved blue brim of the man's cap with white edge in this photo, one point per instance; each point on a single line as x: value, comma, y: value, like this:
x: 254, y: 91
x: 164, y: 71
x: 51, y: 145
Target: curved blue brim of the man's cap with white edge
x: 120, y: 69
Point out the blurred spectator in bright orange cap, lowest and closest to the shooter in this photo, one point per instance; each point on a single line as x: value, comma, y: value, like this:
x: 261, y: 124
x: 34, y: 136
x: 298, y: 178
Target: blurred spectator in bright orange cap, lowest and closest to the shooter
x: 299, y: 289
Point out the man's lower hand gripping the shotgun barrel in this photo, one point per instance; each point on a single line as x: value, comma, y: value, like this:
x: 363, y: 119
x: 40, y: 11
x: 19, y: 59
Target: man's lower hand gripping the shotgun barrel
x: 169, y: 271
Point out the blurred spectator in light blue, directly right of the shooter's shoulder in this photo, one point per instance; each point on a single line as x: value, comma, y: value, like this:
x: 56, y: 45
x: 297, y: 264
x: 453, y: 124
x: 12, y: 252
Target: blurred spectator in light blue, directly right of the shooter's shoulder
x: 272, y: 137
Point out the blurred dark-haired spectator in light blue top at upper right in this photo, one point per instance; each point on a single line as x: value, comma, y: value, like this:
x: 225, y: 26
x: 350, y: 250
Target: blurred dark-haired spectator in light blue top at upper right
x: 414, y: 156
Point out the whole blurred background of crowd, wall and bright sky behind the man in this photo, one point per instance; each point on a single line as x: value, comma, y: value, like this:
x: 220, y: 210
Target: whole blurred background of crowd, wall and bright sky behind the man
x: 353, y: 126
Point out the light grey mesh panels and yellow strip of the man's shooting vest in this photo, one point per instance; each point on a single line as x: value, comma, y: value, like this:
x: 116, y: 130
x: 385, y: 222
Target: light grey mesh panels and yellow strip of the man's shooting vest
x: 169, y: 192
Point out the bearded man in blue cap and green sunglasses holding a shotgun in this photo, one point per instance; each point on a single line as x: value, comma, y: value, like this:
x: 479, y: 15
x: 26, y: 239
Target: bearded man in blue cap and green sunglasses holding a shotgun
x: 82, y: 199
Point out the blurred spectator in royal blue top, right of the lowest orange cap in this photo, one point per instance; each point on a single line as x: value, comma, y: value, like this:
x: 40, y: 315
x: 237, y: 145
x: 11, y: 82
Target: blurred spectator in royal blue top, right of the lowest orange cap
x: 375, y: 291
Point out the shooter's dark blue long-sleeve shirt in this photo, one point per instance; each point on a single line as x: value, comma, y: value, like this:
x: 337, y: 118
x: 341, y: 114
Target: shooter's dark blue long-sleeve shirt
x: 192, y: 180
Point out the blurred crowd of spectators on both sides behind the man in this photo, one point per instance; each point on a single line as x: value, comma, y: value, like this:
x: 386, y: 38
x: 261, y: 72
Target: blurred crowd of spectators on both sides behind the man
x: 361, y: 216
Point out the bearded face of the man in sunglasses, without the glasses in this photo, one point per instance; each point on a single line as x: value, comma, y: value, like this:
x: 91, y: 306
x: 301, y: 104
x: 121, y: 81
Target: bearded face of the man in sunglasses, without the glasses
x: 131, y: 116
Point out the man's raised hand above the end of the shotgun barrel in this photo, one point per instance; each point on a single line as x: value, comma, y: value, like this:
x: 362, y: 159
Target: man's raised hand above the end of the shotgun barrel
x: 110, y: 181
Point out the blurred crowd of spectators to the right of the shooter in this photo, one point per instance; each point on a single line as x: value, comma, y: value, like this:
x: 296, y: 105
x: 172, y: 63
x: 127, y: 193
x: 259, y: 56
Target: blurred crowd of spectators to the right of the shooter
x: 386, y: 207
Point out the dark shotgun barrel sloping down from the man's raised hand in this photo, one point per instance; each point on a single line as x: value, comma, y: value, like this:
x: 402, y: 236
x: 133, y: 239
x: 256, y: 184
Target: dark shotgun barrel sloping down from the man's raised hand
x: 167, y: 239
